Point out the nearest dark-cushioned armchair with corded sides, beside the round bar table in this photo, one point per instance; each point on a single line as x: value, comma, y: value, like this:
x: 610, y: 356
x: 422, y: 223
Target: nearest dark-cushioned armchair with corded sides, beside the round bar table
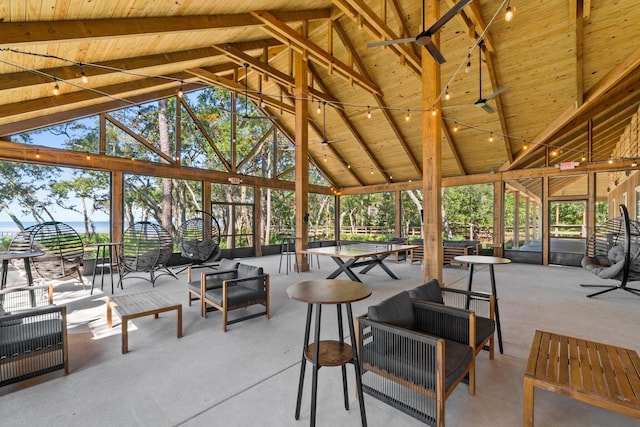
x: 413, y: 355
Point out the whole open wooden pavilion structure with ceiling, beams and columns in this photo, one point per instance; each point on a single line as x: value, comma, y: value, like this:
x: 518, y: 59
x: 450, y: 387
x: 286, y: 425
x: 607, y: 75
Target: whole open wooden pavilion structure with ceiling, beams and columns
x: 543, y: 106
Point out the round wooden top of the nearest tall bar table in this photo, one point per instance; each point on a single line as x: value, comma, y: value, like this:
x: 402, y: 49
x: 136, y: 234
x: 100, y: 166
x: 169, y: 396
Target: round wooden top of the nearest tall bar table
x: 328, y: 291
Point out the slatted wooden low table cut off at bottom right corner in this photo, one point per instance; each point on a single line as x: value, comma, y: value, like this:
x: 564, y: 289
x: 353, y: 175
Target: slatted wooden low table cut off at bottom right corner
x: 602, y: 375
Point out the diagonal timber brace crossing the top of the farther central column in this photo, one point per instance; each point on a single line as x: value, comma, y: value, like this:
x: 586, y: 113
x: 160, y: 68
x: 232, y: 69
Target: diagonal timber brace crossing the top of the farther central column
x: 288, y: 35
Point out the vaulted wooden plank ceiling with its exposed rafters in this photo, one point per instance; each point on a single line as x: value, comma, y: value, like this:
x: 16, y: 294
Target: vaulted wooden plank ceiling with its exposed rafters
x: 570, y: 71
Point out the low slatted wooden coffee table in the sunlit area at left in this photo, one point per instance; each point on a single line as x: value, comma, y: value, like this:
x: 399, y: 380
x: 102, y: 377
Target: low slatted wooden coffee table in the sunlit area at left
x: 138, y: 305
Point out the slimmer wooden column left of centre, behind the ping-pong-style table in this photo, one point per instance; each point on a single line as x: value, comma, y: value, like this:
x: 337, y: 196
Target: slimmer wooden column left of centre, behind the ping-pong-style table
x: 301, y: 92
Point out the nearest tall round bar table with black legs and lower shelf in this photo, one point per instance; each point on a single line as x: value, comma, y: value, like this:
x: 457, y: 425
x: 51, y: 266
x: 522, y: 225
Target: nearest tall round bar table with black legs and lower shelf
x: 329, y: 352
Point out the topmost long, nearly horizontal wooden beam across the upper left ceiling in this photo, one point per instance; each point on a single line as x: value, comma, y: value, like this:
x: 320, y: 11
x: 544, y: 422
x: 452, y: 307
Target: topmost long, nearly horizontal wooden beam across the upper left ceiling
x: 16, y: 34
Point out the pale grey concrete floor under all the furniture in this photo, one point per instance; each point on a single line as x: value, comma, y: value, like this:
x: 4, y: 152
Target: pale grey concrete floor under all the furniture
x: 249, y: 375
